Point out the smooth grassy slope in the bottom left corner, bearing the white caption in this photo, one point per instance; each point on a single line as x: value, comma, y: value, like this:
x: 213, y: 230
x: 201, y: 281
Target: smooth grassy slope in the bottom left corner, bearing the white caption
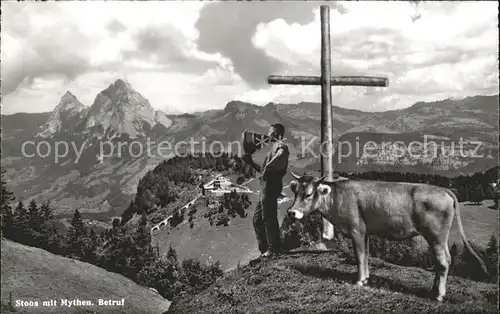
x: 34, y: 274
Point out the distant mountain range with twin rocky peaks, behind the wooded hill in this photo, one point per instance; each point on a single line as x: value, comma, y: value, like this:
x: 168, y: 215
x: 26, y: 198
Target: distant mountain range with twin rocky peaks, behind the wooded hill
x: 93, y: 178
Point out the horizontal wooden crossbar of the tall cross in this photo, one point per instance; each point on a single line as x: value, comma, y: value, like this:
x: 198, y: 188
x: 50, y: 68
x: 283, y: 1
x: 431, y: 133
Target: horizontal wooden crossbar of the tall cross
x: 335, y: 80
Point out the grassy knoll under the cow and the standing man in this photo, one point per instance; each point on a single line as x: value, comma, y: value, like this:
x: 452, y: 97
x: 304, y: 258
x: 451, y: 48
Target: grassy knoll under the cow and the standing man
x: 323, y: 283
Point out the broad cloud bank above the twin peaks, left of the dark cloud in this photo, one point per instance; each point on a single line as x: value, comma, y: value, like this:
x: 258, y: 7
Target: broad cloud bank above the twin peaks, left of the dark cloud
x: 59, y: 40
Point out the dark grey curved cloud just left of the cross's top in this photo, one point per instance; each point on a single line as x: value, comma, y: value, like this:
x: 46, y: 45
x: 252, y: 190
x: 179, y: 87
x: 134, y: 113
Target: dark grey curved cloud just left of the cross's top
x: 228, y: 28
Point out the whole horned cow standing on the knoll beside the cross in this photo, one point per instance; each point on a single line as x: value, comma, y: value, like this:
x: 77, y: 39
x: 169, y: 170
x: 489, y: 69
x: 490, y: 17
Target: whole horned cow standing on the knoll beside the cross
x: 390, y: 210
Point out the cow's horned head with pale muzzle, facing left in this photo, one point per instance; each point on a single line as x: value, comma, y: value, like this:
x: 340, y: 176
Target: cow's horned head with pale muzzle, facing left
x: 310, y: 194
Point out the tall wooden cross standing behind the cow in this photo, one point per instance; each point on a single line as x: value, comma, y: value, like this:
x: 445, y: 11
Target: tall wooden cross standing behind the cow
x: 326, y: 81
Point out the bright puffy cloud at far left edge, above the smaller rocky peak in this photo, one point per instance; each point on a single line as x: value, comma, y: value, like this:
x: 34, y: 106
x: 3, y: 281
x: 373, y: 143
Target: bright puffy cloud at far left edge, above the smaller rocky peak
x: 40, y: 52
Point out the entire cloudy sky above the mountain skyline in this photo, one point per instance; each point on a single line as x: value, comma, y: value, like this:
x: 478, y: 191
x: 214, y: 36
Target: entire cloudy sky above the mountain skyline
x: 192, y: 56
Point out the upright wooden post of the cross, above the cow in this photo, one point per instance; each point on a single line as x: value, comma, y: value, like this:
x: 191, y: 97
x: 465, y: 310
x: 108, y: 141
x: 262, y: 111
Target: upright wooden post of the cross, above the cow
x: 326, y: 97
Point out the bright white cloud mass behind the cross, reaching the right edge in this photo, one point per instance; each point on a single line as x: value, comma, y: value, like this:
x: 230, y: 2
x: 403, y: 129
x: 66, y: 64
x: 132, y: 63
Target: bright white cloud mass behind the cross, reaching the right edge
x: 444, y: 54
